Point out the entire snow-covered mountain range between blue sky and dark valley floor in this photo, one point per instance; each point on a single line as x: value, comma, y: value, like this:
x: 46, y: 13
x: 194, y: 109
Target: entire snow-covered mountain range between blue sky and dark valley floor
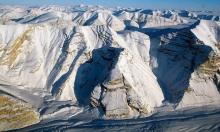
x: 59, y: 62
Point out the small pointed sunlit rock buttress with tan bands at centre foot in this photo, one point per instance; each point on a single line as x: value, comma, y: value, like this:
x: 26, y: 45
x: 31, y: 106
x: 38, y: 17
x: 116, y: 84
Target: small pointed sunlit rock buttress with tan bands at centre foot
x: 115, y: 97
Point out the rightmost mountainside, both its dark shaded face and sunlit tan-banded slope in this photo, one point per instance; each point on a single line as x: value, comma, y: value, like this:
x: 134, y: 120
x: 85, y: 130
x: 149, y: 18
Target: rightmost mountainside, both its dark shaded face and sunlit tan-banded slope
x: 186, y: 64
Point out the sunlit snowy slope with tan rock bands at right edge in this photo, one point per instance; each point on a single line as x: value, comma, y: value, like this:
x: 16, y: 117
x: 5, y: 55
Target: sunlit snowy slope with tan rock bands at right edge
x: 204, y: 80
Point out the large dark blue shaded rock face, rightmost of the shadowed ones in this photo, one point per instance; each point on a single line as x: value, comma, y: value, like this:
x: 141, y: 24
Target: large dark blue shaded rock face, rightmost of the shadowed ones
x: 177, y: 56
